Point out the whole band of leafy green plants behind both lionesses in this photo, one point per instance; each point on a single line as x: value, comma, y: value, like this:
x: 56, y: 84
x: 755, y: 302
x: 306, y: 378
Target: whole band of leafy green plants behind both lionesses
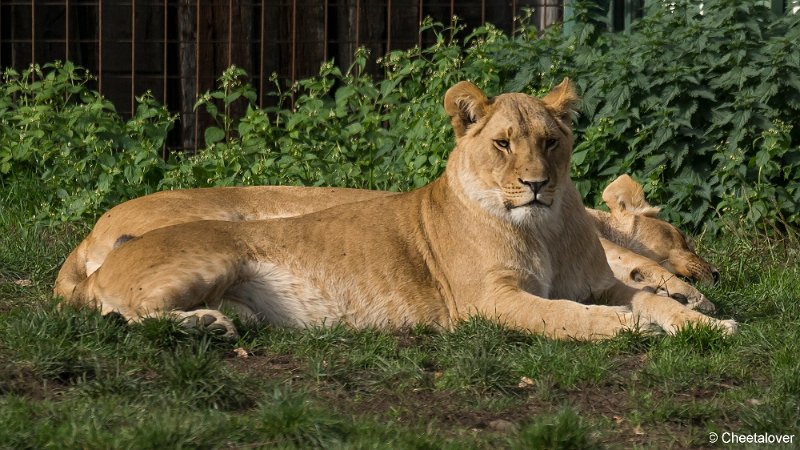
x: 703, y: 108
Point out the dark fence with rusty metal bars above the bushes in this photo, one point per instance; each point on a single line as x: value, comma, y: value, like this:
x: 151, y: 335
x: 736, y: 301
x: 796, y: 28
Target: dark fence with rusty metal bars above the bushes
x: 177, y: 48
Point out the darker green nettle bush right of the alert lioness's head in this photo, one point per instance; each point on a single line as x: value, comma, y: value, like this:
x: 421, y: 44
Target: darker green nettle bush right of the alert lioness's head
x: 702, y: 107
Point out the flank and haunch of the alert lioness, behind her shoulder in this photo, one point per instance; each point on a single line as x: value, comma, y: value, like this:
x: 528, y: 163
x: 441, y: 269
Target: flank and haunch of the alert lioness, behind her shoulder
x: 364, y: 267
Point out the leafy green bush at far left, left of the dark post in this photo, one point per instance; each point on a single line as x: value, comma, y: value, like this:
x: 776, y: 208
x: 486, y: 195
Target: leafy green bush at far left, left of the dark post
x: 55, y: 130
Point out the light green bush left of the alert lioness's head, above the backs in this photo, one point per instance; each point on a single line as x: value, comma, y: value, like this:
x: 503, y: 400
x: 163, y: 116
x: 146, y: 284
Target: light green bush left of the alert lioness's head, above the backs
x: 339, y: 129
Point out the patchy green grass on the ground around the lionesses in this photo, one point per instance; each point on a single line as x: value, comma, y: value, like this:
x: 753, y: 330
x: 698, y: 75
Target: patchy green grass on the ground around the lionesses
x: 73, y: 379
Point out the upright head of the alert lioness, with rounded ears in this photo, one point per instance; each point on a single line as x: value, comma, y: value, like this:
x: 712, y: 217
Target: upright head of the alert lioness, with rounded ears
x: 513, y: 151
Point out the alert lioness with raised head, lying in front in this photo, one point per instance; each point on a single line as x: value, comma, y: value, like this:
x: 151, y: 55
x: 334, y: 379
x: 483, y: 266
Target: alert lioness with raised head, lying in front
x: 502, y: 234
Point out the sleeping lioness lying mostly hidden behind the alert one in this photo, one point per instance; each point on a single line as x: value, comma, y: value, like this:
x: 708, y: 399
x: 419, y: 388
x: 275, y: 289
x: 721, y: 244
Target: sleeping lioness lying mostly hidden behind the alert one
x: 631, y: 224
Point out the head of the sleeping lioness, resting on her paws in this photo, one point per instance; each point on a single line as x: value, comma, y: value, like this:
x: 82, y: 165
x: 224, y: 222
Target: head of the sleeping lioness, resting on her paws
x: 652, y: 237
